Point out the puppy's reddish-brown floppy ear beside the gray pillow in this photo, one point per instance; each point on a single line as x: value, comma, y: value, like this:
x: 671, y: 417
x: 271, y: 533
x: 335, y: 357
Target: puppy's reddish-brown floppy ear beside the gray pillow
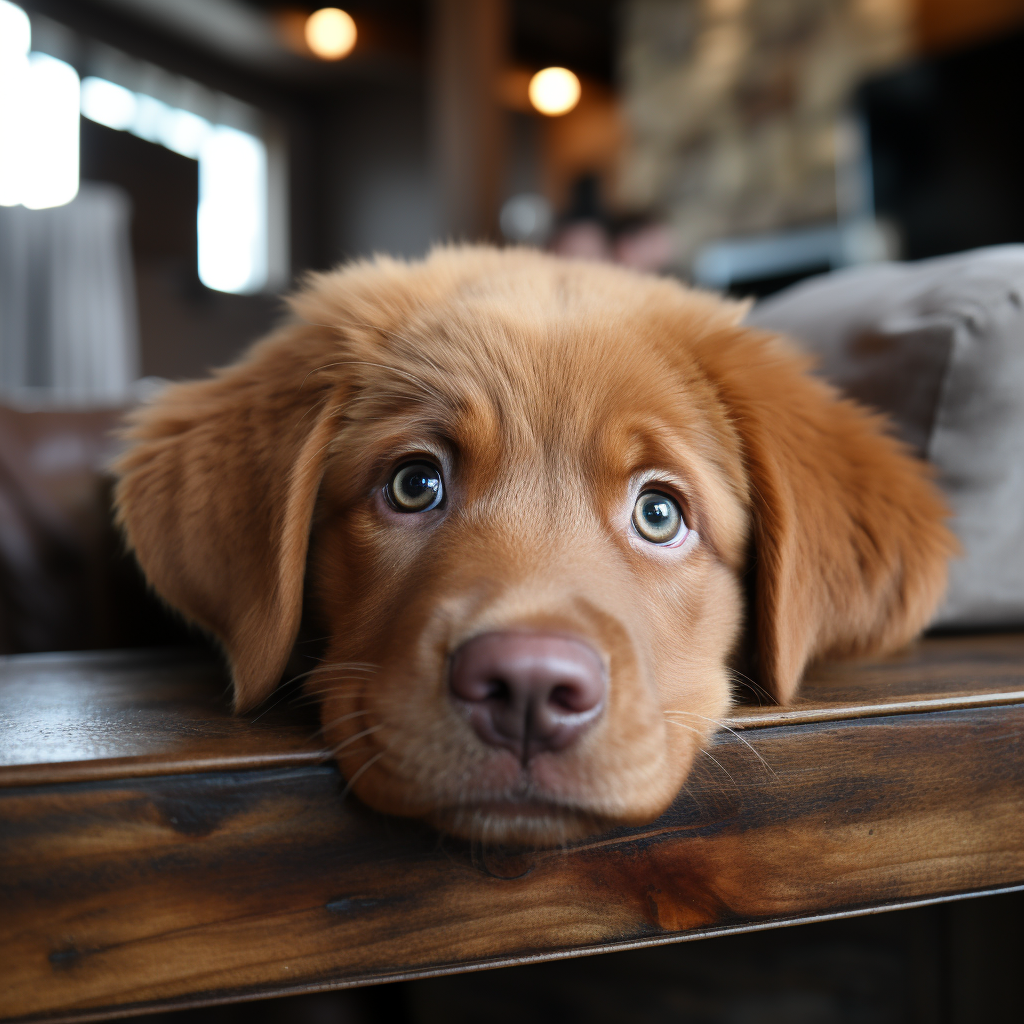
x: 850, y: 547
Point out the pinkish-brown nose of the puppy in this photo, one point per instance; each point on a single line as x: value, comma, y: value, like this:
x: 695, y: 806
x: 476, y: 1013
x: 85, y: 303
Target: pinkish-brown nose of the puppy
x: 527, y: 692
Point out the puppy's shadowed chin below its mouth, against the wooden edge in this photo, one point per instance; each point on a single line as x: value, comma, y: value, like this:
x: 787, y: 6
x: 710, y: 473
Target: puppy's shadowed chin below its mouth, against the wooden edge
x: 519, y: 824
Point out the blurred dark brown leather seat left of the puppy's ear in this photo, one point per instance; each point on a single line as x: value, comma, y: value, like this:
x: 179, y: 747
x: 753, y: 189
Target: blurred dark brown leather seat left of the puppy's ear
x: 66, y: 582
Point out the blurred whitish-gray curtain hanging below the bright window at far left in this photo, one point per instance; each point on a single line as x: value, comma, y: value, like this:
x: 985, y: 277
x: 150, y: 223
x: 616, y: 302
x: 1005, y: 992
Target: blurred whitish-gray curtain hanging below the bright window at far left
x: 69, y: 329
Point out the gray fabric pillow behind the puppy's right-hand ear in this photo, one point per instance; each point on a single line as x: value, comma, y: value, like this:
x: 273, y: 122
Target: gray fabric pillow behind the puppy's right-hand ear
x: 940, y: 347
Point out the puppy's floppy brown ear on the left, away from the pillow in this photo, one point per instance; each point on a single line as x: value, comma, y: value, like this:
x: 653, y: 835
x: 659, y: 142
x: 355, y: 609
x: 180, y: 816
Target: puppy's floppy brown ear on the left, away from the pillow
x: 217, y: 496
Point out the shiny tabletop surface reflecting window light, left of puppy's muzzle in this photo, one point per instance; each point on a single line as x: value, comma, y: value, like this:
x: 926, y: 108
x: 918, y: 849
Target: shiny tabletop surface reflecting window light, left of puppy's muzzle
x: 117, y: 714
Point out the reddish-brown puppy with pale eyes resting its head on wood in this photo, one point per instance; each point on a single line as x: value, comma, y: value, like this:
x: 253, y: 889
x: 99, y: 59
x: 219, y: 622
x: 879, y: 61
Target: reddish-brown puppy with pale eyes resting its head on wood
x: 539, y: 495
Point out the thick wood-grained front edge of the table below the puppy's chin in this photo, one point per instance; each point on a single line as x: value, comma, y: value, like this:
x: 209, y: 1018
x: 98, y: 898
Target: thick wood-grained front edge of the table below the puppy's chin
x: 124, y: 895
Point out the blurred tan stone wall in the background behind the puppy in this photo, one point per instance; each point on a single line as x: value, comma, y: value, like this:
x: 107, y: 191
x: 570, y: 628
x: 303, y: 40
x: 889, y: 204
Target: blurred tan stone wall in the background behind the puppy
x: 738, y: 109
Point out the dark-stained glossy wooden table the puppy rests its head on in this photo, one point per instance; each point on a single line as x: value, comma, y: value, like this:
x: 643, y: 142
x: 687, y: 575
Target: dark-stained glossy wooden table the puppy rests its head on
x: 156, y: 851
